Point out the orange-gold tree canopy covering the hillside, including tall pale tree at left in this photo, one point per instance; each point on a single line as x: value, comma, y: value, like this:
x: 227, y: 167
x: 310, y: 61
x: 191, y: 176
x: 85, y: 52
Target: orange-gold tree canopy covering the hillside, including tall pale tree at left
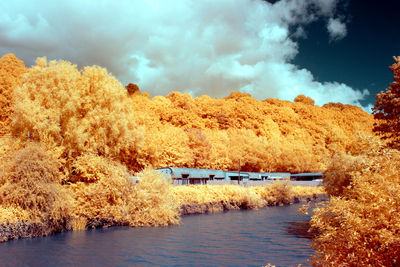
x: 88, y: 112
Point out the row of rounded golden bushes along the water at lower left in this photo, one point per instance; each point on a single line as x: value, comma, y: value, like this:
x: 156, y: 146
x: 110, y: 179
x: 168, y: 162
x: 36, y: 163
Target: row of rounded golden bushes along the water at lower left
x: 103, y: 194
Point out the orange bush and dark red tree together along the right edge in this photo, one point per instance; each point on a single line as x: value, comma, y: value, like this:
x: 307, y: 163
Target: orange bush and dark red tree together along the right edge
x: 360, y: 226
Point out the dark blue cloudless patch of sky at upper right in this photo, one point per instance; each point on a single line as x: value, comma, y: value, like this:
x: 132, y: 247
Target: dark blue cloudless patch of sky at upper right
x: 362, y: 57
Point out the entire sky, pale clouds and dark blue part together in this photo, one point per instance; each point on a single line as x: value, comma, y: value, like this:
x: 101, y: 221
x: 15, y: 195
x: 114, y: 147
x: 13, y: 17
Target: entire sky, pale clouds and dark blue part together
x: 329, y: 50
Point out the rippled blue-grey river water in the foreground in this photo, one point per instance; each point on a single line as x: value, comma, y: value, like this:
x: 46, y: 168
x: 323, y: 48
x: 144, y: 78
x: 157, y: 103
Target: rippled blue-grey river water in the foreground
x: 234, y: 238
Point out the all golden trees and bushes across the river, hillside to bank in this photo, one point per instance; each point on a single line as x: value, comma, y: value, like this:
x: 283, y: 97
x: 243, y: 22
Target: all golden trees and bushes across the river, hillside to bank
x: 94, y: 133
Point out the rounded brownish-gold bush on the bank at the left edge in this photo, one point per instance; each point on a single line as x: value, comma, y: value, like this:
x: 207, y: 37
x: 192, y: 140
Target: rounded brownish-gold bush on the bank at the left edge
x: 30, y: 183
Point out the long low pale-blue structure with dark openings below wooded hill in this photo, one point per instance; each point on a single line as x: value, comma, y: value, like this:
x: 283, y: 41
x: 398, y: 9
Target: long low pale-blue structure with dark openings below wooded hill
x: 185, y: 176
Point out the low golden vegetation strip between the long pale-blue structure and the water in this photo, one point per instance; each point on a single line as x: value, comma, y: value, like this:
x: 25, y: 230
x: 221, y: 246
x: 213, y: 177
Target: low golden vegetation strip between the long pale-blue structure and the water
x: 217, y: 198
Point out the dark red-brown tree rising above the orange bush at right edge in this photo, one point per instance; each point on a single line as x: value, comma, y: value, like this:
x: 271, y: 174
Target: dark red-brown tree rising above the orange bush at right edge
x: 387, y: 110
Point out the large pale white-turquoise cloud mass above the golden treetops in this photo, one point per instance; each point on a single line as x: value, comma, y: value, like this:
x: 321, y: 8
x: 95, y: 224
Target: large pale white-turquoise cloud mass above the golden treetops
x: 199, y: 47
